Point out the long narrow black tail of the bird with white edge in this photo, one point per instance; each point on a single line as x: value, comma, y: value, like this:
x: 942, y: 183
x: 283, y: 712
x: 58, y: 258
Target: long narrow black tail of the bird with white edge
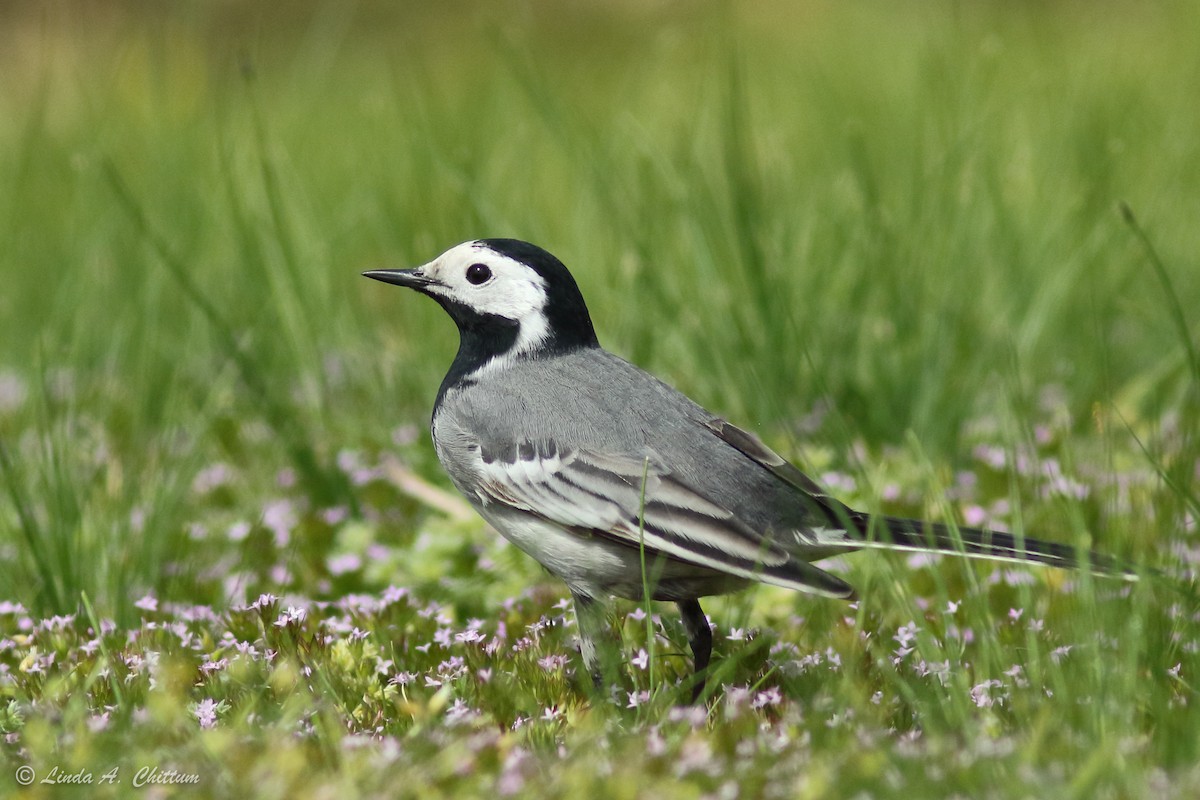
x: 899, y: 534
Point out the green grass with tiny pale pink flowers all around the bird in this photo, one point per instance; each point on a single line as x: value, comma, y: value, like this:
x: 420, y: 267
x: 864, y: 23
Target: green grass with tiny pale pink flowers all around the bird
x: 887, y: 238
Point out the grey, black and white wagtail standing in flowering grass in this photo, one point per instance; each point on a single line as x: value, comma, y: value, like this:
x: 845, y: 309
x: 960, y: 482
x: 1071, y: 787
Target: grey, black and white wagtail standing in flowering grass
x: 597, y: 468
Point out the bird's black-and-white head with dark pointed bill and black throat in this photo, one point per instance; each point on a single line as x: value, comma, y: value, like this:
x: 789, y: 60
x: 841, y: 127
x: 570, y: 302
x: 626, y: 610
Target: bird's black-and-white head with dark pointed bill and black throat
x: 508, y: 298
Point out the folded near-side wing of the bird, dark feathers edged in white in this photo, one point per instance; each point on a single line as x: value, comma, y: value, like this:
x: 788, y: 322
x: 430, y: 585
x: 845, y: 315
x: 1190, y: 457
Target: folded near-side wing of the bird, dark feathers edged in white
x: 635, y: 501
